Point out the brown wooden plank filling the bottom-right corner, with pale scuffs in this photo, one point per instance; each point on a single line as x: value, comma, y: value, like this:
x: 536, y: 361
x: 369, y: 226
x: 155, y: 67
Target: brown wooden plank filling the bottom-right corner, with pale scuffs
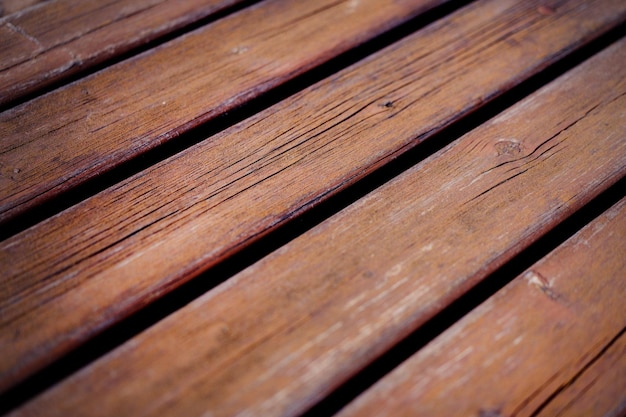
x: 527, y: 342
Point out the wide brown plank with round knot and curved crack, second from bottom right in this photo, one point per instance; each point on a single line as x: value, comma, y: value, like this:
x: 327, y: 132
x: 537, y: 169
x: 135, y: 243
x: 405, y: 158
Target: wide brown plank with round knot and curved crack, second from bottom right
x: 281, y: 334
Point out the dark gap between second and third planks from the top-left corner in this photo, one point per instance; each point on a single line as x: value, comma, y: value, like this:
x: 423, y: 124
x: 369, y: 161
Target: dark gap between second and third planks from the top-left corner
x: 196, y: 135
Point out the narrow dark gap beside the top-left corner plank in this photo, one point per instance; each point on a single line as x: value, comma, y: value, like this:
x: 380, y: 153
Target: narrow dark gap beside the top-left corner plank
x: 133, y: 51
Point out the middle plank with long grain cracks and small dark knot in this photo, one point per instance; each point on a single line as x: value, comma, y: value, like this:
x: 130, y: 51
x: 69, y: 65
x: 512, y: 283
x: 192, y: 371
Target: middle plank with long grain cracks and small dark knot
x: 67, y: 278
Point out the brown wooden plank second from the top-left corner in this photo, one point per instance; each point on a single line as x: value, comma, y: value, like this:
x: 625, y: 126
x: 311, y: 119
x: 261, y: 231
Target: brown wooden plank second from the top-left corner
x: 77, y: 132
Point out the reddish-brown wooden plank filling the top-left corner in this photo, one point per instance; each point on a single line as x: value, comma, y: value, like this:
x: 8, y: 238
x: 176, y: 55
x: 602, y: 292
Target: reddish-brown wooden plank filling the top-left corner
x: 48, y: 43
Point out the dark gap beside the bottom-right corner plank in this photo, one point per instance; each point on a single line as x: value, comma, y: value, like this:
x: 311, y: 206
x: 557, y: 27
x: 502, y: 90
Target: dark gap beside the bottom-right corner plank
x: 376, y: 370
